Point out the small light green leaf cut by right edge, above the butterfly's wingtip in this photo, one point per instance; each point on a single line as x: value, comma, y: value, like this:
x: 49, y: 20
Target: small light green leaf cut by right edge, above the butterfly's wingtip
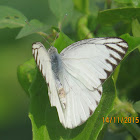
x: 135, y: 28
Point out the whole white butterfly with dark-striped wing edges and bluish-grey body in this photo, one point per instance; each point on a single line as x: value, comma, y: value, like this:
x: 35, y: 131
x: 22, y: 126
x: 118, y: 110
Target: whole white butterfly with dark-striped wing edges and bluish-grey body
x: 75, y: 76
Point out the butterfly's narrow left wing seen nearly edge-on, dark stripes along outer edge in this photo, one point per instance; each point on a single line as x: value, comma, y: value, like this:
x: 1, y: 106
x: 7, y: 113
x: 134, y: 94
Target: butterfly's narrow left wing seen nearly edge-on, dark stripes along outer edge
x: 43, y: 61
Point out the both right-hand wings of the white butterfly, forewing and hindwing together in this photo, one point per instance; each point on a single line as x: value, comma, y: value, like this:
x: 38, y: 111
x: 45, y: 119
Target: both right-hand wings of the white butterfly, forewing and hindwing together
x: 86, y: 65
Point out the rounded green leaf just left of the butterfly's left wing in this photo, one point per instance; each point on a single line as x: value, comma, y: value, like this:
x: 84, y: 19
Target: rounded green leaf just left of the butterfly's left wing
x: 26, y: 73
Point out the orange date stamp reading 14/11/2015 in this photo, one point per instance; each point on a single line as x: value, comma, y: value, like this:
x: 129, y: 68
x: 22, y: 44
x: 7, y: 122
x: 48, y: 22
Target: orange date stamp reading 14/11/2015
x: 121, y: 120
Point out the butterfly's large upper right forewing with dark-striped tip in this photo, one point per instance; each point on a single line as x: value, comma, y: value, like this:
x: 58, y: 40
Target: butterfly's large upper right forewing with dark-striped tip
x: 91, y: 61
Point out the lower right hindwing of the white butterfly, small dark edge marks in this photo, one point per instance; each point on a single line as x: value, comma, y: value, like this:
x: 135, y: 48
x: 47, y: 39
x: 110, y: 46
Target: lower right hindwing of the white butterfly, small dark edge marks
x: 80, y: 102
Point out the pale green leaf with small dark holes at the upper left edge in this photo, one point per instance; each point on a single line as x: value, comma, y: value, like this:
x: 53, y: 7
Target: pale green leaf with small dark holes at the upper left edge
x: 11, y: 18
